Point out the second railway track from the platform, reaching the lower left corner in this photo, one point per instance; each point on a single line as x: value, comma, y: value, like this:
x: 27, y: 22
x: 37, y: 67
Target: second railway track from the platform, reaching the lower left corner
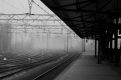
x: 16, y: 69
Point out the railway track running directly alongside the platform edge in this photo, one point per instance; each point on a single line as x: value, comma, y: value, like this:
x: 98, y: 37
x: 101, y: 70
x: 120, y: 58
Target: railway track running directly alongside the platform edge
x: 67, y: 60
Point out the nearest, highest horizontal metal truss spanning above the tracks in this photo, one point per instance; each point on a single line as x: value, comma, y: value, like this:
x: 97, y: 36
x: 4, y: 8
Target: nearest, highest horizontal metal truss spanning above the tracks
x: 27, y: 17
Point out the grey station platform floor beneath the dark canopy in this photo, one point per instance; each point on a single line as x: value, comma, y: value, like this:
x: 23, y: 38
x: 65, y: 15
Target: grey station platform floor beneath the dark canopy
x: 86, y: 68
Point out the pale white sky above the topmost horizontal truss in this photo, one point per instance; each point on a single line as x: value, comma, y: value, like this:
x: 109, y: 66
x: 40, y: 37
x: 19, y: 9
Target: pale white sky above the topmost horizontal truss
x: 21, y: 6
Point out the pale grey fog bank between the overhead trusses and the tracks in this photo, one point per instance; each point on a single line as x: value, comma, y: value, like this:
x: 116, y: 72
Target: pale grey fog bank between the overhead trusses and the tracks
x: 33, y: 42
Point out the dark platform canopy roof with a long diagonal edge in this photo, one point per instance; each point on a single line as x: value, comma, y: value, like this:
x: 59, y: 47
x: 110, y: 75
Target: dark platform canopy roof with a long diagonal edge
x: 88, y: 18
